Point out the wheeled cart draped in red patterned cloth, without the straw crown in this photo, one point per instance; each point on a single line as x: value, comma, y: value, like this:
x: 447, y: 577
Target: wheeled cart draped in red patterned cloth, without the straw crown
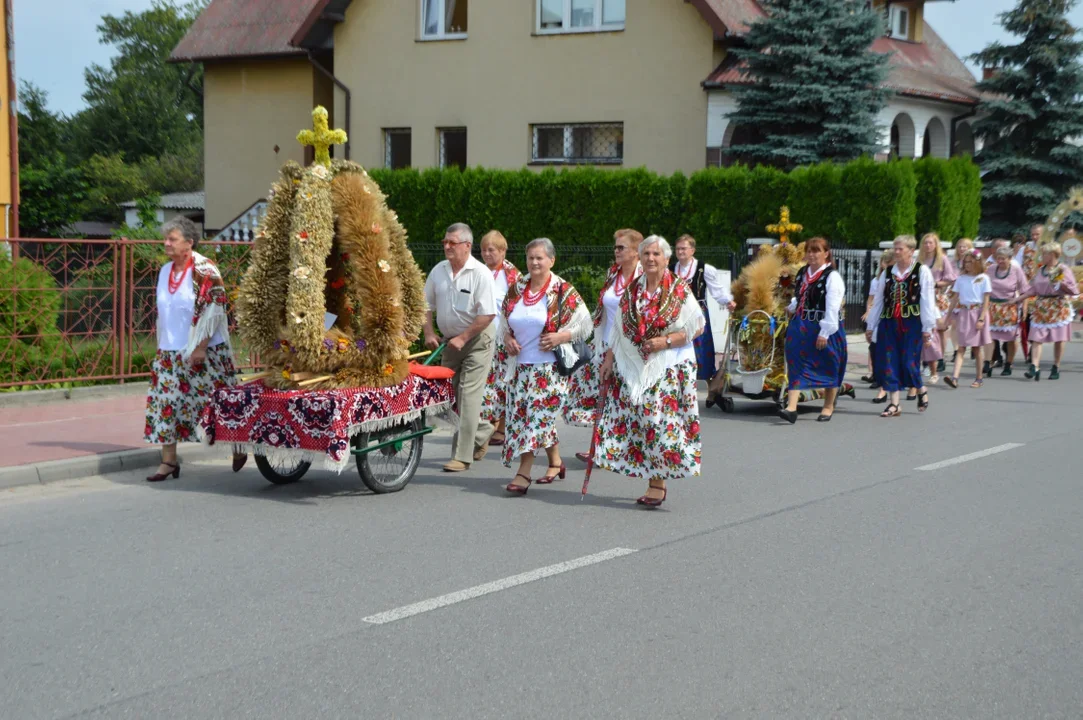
x: 288, y: 430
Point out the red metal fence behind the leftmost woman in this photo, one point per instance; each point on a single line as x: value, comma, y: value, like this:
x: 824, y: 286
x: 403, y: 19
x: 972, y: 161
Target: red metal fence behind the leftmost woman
x: 79, y: 311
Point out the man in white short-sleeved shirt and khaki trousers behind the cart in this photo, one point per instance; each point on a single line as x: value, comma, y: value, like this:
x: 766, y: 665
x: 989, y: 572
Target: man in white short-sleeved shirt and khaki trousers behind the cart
x: 461, y: 292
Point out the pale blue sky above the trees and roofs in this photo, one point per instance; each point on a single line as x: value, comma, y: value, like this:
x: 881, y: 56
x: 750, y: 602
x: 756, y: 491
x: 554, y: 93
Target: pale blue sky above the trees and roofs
x: 55, y: 42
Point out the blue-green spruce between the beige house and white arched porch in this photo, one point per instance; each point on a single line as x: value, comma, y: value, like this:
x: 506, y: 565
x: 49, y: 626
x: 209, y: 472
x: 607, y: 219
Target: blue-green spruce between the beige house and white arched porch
x: 816, y: 85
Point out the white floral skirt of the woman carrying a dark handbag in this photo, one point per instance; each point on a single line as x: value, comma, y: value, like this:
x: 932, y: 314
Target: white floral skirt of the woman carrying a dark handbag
x: 536, y: 397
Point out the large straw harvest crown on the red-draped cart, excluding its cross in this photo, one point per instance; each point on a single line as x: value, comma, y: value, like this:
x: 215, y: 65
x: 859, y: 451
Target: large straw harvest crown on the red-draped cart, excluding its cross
x: 331, y: 250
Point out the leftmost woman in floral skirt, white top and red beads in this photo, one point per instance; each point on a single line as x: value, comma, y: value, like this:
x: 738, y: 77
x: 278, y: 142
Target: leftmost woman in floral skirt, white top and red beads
x: 194, y: 356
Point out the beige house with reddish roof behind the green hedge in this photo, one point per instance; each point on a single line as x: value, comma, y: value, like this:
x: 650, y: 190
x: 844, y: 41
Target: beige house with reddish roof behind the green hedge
x: 501, y: 84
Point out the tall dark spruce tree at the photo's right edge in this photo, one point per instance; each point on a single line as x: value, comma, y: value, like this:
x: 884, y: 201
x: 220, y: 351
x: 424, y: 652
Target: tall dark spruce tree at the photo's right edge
x: 1032, y: 117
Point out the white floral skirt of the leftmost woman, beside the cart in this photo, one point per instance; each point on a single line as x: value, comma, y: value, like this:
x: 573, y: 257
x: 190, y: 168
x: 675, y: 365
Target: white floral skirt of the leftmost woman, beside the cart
x: 180, y: 392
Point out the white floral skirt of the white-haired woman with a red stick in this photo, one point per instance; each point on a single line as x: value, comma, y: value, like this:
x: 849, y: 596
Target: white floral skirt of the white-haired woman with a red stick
x: 660, y: 438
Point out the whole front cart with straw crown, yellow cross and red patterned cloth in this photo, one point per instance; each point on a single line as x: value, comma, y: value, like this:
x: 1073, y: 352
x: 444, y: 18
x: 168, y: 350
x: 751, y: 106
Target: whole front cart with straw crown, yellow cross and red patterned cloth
x: 331, y: 303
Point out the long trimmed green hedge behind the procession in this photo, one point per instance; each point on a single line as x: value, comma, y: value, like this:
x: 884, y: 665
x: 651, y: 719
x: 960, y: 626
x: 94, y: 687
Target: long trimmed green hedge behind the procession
x: 860, y: 204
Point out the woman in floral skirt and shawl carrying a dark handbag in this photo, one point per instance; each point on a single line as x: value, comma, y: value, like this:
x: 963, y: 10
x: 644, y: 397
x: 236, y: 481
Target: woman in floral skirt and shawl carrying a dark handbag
x: 540, y: 313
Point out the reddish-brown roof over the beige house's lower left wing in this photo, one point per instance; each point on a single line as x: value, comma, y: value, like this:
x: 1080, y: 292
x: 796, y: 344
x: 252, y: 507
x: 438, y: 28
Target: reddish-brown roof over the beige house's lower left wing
x: 244, y: 29
